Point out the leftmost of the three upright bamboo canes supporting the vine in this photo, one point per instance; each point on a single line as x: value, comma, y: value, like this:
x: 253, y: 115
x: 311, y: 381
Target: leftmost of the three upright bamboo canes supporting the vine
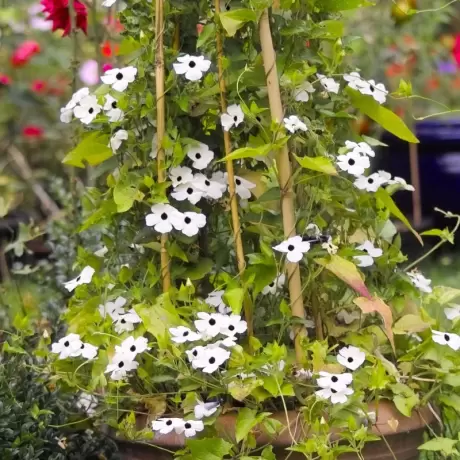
x: 161, y: 115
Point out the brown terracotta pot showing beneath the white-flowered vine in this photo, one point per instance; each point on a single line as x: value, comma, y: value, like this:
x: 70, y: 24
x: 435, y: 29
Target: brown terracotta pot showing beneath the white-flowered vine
x: 403, y: 435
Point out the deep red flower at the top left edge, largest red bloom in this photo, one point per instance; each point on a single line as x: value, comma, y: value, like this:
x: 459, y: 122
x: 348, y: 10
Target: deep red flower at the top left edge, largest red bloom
x: 59, y: 13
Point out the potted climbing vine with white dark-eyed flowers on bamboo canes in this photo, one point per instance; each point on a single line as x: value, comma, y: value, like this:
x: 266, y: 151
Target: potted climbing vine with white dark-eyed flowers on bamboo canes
x: 251, y: 299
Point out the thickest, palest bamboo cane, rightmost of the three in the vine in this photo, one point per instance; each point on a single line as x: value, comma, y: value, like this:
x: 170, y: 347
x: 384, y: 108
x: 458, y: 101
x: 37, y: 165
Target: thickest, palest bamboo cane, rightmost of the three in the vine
x: 284, y: 177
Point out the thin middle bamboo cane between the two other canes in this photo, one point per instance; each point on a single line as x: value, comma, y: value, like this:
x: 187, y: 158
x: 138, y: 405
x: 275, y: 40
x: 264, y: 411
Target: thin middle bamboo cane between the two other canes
x: 230, y: 173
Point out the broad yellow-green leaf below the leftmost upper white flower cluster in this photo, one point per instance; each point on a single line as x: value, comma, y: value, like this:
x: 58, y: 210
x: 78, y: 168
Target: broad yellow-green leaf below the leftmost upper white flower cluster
x: 93, y: 149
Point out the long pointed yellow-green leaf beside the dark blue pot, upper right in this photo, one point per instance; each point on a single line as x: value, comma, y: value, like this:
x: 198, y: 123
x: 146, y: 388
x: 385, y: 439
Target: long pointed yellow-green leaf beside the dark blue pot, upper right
x: 384, y: 117
